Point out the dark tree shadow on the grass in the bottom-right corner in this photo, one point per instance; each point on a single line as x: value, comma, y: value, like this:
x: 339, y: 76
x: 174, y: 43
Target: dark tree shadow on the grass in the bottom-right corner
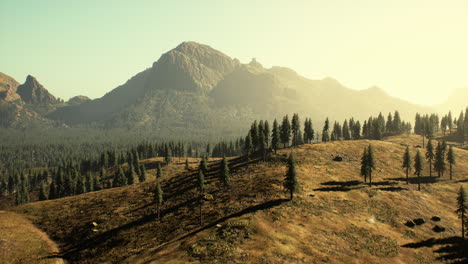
x: 451, y: 248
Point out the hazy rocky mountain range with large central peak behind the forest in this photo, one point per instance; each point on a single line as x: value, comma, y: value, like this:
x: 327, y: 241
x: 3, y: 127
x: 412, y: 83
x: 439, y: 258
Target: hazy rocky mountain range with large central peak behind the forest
x: 194, y: 87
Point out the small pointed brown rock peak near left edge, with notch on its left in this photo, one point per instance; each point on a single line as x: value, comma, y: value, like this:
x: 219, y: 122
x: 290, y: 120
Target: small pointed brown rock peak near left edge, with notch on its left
x: 33, y: 92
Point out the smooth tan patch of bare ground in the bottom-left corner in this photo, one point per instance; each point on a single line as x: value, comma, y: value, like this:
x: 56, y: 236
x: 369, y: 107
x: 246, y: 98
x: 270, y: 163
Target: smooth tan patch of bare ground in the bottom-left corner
x: 22, y: 242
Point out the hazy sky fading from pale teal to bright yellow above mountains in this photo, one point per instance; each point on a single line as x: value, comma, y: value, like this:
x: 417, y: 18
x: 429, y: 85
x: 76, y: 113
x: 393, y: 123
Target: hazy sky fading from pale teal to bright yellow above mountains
x: 414, y: 49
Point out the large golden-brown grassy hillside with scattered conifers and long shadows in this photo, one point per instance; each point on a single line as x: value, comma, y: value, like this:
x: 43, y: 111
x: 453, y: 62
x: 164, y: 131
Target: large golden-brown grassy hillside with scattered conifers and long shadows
x: 334, y: 218
